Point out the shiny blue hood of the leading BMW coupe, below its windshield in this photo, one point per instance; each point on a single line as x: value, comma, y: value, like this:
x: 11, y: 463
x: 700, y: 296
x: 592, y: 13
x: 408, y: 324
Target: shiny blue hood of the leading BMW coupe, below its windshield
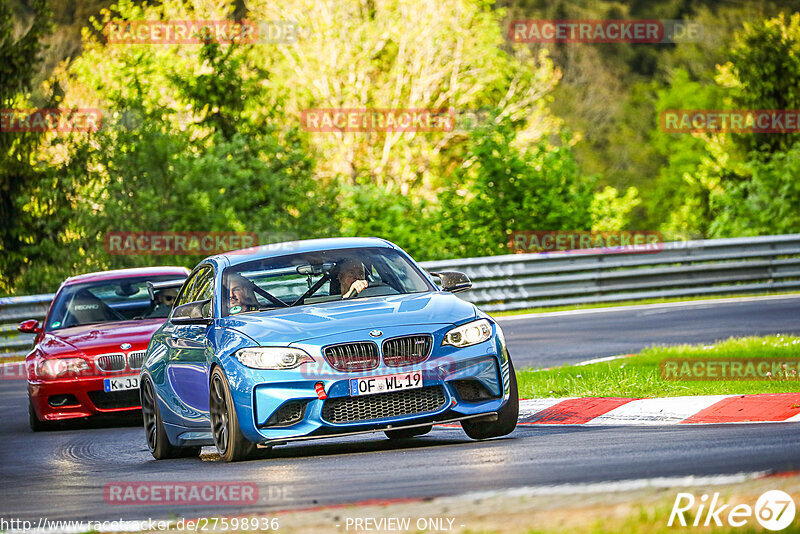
x: 287, y: 325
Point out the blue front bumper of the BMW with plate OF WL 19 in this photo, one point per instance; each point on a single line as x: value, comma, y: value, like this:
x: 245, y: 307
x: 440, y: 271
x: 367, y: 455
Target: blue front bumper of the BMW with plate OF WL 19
x: 316, y: 401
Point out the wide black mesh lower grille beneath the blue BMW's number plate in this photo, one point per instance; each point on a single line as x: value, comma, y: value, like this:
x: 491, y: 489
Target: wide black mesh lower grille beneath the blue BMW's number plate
x: 384, y: 405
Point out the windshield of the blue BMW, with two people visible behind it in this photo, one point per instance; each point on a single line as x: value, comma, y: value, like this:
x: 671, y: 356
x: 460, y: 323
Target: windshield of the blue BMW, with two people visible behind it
x: 319, y: 276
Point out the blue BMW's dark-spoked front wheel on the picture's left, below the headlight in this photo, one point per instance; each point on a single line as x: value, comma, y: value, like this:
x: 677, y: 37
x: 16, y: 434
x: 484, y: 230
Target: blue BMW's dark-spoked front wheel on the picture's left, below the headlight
x: 232, y: 446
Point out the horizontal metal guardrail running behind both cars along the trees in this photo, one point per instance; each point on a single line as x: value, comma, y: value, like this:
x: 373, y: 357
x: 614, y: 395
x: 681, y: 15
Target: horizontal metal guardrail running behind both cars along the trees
x: 518, y: 281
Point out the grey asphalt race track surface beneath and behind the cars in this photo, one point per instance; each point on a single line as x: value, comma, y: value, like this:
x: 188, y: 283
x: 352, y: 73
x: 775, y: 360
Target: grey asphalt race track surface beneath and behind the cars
x: 62, y: 474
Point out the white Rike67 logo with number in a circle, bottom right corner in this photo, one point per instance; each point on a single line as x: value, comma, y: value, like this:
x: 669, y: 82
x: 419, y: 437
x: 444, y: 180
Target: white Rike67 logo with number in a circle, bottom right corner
x: 774, y: 510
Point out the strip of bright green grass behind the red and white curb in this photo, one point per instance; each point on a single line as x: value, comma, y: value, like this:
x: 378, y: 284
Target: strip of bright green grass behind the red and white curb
x: 640, y: 375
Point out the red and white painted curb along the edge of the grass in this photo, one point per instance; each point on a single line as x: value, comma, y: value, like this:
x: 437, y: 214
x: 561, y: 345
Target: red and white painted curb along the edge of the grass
x: 759, y: 408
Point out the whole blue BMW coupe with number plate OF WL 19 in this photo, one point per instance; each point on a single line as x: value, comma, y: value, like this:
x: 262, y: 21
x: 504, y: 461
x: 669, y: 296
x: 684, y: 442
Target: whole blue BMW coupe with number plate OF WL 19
x: 321, y: 338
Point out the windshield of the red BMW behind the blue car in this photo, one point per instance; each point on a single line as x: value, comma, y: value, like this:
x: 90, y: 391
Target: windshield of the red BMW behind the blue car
x: 105, y: 301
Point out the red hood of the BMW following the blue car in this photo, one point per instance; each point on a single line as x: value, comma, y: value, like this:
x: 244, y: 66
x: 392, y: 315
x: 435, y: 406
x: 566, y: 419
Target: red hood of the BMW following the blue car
x: 100, y: 338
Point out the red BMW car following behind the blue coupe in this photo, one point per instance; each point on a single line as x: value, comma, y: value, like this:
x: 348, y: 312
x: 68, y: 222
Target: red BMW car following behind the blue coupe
x: 87, y: 354
